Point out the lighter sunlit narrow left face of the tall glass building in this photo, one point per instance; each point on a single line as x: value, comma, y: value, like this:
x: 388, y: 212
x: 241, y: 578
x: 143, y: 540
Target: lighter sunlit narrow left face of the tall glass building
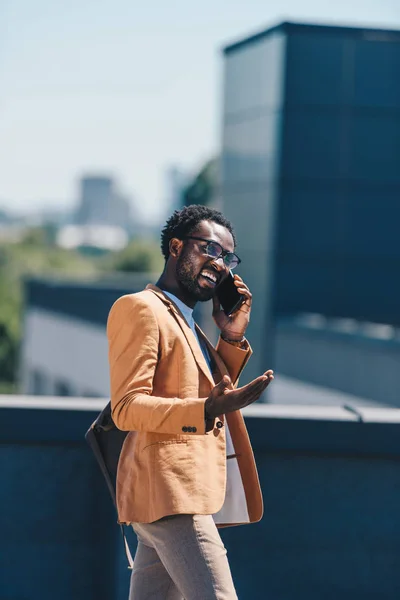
x: 254, y: 83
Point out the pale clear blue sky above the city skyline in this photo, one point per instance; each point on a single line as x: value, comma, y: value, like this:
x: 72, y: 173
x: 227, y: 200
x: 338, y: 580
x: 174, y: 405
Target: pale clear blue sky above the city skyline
x: 126, y: 88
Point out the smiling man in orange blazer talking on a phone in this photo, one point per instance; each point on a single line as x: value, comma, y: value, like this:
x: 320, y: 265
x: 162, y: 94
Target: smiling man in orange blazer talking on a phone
x: 186, y: 466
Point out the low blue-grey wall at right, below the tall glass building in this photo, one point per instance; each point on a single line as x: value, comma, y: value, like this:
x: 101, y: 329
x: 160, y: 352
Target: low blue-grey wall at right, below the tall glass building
x: 356, y: 361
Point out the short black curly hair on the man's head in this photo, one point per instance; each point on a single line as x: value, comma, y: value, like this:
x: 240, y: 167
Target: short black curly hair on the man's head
x: 185, y: 221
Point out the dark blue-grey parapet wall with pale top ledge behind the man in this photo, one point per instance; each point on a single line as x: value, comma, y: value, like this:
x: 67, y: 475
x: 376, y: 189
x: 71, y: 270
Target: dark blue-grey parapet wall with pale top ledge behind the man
x: 331, y: 527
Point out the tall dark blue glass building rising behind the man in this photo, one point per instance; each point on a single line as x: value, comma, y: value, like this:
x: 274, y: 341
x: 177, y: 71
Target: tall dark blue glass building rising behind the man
x: 311, y: 171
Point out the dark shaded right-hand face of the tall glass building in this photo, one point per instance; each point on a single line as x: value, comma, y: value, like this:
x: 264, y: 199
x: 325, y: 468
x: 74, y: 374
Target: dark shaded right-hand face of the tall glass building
x: 340, y: 176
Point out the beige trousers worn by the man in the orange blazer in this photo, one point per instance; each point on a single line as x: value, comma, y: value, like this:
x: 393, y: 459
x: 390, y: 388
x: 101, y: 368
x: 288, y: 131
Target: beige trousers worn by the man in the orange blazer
x: 180, y: 557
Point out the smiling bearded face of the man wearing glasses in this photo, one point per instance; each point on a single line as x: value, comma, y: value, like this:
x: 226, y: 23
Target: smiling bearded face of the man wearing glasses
x: 197, y: 273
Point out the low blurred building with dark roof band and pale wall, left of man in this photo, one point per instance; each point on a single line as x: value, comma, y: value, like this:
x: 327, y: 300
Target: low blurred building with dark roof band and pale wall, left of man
x: 64, y: 348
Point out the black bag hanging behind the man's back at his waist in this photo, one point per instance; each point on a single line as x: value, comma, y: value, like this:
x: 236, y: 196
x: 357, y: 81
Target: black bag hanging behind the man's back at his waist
x: 106, y: 441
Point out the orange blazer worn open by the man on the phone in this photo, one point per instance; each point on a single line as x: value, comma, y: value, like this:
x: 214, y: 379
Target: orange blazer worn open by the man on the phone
x: 159, y: 383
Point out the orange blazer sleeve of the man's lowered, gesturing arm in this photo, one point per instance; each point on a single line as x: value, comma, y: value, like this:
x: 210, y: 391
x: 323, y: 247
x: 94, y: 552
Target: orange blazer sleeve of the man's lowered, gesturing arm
x: 133, y: 342
